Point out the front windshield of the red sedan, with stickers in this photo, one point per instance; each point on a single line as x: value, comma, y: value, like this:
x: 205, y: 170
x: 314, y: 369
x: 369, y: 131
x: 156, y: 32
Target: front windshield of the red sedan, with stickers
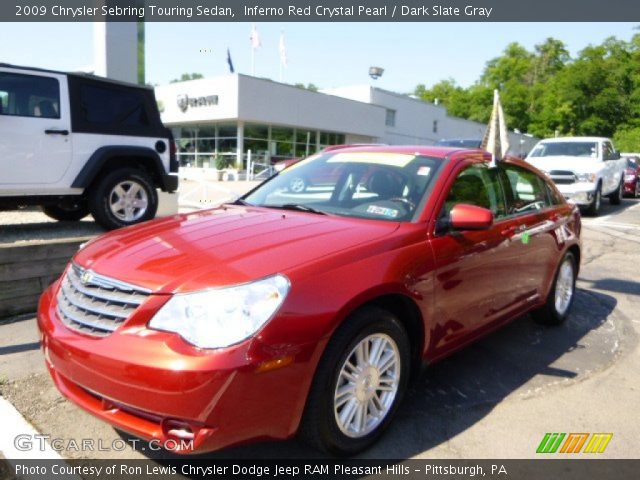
x: 373, y: 185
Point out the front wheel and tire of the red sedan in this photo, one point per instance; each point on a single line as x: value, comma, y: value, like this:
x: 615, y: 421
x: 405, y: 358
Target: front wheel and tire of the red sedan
x: 359, y: 383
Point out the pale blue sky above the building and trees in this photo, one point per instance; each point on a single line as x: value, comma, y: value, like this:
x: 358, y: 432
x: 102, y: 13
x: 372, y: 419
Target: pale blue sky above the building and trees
x: 325, y: 54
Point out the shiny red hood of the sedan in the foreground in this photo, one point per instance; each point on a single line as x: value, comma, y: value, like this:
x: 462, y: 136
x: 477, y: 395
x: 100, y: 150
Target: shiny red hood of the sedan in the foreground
x: 223, y: 246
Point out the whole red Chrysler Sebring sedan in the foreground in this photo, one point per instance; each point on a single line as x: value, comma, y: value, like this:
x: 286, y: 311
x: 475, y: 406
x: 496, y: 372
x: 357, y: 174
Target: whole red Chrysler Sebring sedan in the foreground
x: 307, y: 312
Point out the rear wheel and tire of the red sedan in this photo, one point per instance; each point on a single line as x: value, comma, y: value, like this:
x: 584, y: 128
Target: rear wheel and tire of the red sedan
x: 558, y: 304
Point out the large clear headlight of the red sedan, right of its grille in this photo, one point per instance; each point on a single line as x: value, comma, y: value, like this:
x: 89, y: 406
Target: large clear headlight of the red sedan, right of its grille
x: 223, y: 316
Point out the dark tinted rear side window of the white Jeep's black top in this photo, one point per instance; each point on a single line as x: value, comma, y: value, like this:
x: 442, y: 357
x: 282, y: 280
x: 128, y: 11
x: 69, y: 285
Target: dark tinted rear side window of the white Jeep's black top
x: 104, y: 106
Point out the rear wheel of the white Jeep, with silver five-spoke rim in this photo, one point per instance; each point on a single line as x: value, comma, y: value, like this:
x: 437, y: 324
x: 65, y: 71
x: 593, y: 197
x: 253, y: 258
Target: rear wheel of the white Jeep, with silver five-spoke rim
x: 123, y: 197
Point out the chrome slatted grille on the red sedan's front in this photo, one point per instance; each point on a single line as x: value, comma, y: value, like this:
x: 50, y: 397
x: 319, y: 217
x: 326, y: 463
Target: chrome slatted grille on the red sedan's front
x: 96, y: 305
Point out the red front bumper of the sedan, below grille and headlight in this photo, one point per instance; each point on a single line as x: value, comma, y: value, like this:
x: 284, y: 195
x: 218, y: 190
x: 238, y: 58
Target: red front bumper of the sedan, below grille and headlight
x: 156, y: 386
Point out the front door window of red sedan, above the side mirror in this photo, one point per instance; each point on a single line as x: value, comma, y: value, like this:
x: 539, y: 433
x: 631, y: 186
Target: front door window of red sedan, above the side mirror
x: 477, y: 185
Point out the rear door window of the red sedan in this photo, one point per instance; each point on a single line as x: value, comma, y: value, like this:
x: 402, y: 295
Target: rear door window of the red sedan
x: 526, y: 192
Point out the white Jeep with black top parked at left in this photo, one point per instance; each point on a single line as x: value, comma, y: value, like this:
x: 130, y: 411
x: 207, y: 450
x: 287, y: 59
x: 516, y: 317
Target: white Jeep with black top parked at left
x: 77, y: 144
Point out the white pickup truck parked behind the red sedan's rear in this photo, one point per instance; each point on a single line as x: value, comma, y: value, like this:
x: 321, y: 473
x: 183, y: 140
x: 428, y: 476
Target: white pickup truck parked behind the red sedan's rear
x: 583, y: 168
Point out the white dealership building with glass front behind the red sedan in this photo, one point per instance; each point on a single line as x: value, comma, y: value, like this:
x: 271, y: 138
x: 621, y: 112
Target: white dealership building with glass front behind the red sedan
x: 228, y: 116
